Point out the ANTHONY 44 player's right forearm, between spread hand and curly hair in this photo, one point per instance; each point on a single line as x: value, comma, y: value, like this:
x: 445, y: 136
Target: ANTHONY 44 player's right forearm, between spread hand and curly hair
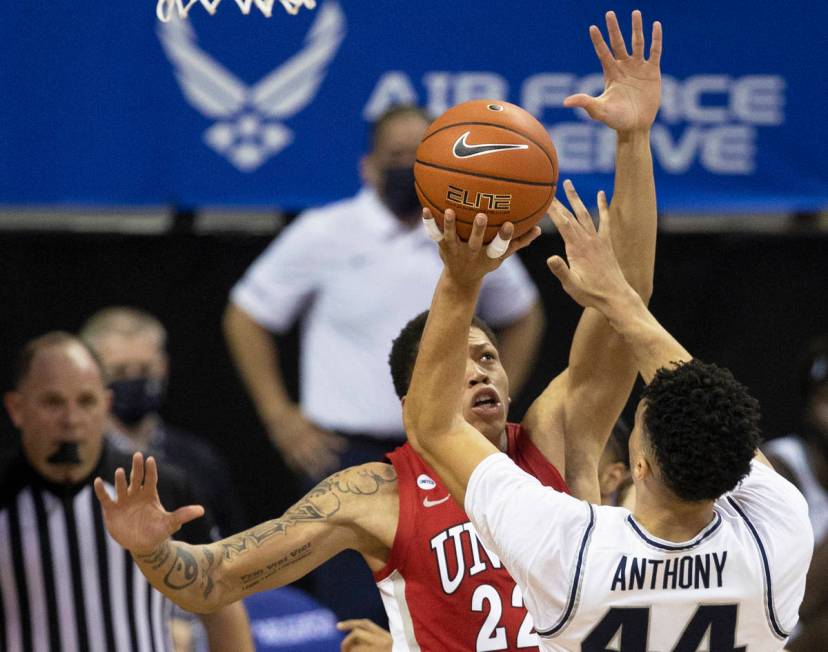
x: 650, y: 343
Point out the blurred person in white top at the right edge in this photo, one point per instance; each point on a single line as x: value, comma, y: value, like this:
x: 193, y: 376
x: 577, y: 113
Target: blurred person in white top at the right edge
x: 803, y: 459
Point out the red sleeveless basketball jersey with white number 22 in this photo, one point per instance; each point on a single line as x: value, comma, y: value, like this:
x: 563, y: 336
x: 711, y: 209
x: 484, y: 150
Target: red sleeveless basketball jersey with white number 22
x: 442, y: 590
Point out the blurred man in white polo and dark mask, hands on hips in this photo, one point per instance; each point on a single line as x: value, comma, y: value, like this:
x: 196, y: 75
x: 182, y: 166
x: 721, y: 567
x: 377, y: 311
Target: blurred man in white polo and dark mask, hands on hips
x: 355, y: 272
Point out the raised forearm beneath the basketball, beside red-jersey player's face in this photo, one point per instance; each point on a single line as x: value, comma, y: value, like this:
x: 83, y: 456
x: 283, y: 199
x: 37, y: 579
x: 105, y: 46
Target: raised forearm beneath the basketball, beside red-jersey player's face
x: 433, y: 403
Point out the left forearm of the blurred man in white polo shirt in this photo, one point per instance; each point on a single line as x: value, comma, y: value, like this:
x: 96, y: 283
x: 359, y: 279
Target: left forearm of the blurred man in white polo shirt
x: 257, y: 360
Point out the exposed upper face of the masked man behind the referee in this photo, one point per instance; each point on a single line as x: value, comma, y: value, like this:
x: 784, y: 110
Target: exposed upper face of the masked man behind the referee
x: 126, y: 357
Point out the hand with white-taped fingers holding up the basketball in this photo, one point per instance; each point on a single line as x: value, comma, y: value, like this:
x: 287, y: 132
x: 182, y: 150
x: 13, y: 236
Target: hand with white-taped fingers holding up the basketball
x: 468, y: 262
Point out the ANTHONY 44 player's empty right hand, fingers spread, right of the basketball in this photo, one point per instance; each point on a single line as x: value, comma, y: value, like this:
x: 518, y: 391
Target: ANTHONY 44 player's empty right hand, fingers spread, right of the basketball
x: 593, y: 275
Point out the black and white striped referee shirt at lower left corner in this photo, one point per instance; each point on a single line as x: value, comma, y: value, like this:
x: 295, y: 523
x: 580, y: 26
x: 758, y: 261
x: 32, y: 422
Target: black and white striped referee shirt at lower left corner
x: 65, y: 584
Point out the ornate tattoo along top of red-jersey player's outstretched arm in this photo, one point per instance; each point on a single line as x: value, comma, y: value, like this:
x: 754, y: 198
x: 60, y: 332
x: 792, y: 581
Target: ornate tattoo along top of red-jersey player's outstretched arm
x: 321, y: 503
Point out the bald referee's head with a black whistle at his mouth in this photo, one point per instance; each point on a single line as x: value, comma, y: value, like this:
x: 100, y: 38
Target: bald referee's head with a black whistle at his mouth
x: 62, y: 401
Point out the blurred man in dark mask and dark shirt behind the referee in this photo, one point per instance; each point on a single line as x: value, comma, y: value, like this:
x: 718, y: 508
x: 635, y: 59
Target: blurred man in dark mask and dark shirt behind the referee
x: 131, y: 344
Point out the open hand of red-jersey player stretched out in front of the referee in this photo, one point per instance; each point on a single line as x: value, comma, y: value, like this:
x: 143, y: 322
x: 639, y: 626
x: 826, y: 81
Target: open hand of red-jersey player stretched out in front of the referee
x: 136, y: 519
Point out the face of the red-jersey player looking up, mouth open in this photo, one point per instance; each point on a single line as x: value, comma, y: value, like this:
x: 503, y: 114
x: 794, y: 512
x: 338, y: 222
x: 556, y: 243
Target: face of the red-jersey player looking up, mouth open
x: 486, y: 387
